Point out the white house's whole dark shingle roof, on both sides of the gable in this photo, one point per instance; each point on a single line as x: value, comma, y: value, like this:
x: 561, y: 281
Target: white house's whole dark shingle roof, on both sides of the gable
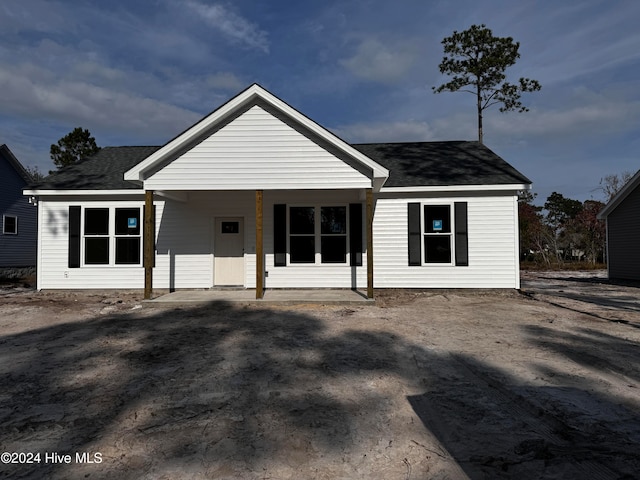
x: 409, y: 165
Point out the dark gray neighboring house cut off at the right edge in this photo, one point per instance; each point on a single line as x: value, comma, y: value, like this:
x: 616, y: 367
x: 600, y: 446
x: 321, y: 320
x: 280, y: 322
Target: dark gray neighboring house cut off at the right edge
x: 622, y: 215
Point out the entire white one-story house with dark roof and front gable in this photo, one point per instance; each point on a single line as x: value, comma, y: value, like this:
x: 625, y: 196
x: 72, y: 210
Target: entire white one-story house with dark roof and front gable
x: 257, y: 195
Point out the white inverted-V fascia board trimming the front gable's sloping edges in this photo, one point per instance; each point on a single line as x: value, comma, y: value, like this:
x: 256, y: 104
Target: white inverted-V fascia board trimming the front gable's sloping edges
x: 137, y: 172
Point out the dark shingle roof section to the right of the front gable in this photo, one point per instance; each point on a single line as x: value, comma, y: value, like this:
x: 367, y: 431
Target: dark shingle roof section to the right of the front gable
x: 441, y: 163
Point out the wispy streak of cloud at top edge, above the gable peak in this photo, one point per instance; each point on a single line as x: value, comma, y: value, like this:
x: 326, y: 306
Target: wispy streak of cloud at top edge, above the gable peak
x: 232, y: 25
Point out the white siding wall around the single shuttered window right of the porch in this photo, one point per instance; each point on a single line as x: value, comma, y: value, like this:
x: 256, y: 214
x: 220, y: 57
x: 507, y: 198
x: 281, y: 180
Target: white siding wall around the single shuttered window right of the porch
x: 492, y: 223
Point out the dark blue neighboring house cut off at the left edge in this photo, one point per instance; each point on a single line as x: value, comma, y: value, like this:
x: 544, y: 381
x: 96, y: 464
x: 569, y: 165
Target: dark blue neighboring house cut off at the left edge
x: 18, y: 236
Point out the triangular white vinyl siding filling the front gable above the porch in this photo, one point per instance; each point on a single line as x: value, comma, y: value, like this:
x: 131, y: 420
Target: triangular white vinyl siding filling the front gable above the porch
x: 256, y: 151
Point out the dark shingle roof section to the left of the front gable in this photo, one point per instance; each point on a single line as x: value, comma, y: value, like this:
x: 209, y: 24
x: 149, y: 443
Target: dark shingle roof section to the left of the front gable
x: 102, y: 171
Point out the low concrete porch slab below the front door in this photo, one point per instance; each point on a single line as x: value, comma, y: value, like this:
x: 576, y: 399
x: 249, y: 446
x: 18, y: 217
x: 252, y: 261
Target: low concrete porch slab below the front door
x: 273, y: 297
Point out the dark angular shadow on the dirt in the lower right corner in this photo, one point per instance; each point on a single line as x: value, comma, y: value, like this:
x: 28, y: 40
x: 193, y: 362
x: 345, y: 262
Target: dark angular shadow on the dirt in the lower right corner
x: 497, y: 427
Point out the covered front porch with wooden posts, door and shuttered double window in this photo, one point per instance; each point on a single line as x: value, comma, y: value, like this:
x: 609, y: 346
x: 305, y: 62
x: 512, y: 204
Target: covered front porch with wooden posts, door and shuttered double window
x: 244, y: 240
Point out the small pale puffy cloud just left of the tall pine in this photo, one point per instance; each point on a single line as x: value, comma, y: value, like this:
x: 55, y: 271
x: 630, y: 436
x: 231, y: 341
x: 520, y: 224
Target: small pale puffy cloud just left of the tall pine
x: 378, y: 62
